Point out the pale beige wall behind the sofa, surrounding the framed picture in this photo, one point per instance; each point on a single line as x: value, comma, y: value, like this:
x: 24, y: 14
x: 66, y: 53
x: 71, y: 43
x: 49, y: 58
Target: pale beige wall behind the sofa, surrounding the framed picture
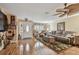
x: 71, y: 23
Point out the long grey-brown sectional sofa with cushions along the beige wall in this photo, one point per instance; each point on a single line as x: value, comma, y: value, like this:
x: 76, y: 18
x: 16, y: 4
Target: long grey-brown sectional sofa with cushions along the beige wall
x: 66, y: 37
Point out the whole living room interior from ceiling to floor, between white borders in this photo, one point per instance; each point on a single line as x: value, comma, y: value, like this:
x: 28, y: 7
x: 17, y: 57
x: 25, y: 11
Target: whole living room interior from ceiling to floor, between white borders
x: 39, y: 29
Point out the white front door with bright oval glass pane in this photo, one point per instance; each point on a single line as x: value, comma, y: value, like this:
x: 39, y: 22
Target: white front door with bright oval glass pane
x: 26, y: 30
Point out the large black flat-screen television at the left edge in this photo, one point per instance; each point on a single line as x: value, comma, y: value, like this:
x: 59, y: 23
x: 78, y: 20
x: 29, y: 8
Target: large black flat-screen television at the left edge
x: 3, y: 22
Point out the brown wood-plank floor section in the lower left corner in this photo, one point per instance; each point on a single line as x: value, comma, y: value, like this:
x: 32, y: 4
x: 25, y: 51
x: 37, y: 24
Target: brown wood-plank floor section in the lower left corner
x: 11, y: 49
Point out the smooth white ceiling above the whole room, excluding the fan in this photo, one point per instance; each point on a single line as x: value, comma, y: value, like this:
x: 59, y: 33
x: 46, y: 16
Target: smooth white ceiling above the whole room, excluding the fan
x: 33, y: 11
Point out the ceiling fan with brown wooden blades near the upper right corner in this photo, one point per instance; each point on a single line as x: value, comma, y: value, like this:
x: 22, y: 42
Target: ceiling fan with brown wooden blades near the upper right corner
x: 67, y: 10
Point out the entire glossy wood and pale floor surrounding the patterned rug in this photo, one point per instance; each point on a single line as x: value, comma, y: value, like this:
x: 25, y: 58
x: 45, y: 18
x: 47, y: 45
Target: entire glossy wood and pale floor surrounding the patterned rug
x: 30, y: 47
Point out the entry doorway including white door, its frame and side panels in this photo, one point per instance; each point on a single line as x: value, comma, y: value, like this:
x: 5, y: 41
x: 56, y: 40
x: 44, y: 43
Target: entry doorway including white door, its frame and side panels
x: 25, y: 29
